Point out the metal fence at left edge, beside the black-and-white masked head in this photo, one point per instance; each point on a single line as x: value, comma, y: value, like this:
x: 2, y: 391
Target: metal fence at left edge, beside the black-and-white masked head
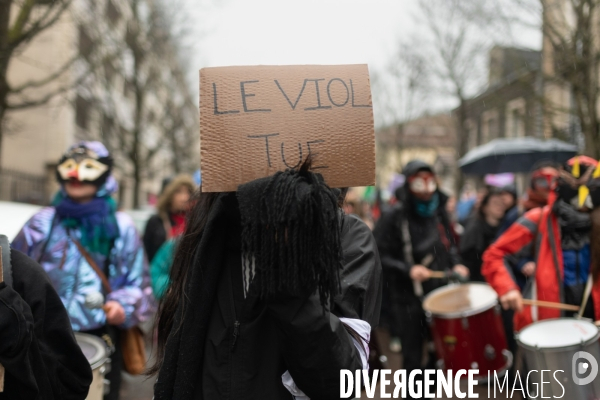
x: 22, y: 187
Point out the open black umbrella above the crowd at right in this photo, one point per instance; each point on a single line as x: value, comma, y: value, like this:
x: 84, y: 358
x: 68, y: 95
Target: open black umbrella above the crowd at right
x: 514, y: 155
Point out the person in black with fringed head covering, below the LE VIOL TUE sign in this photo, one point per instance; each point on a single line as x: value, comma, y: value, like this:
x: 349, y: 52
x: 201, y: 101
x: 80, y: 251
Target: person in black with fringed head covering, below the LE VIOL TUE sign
x: 273, y: 291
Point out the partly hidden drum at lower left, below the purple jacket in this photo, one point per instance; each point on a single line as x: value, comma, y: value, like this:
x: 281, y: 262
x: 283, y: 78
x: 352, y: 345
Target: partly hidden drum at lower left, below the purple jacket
x: 96, y: 353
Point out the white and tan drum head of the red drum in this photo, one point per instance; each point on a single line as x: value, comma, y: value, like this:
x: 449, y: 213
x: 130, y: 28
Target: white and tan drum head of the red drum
x: 460, y: 300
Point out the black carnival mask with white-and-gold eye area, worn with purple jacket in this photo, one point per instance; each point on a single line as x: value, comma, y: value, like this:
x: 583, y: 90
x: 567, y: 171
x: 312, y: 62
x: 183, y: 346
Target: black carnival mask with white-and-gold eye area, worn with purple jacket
x: 84, y: 165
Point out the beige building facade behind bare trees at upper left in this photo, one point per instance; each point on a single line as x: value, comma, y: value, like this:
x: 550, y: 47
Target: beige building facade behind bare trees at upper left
x: 98, y: 41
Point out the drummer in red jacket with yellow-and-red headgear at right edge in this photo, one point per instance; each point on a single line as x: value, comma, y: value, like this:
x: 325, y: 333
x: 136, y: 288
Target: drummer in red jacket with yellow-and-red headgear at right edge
x: 562, y: 242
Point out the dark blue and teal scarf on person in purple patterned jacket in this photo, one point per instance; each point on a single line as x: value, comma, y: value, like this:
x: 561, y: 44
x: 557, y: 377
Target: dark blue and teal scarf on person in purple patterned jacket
x: 96, y: 220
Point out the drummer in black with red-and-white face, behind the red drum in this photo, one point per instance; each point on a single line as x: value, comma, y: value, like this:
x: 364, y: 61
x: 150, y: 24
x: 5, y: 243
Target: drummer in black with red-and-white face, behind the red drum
x: 414, y: 239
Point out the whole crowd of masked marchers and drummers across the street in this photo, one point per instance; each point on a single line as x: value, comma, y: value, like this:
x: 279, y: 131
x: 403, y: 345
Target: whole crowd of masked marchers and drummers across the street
x: 257, y: 284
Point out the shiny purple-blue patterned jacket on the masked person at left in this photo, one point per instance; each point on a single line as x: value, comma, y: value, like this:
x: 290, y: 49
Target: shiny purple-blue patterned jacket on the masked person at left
x: 76, y: 280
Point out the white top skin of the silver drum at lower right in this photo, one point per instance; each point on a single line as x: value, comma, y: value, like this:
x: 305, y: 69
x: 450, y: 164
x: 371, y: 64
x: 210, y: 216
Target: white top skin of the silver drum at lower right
x: 557, y: 333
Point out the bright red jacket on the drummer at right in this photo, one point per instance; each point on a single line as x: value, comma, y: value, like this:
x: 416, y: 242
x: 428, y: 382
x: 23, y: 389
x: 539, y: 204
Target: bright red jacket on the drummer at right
x: 539, y: 225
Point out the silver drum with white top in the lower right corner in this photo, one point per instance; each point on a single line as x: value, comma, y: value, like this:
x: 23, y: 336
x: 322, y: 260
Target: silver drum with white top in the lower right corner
x: 566, y: 344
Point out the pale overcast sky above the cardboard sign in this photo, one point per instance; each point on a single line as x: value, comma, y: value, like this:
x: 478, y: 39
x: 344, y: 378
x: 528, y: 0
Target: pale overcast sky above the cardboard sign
x: 280, y: 32
